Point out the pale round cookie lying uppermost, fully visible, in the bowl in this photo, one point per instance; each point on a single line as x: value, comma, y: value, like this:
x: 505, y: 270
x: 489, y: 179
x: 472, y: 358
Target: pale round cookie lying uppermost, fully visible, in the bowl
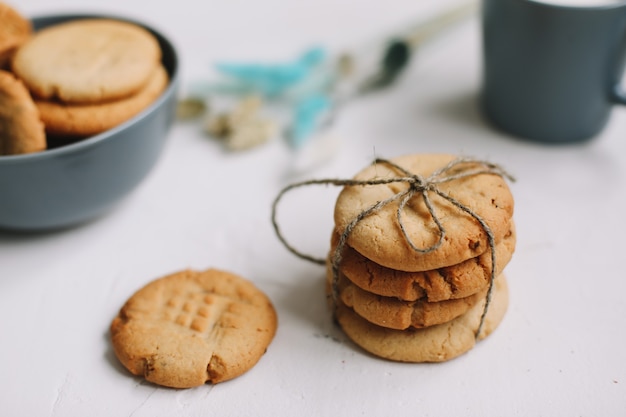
x: 87, y: 60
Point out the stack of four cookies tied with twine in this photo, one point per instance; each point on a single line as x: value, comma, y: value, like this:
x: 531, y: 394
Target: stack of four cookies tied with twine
x: 410, y: 266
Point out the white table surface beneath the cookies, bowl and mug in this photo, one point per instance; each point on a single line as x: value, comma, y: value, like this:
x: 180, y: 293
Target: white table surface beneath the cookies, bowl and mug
x: 558, y: 352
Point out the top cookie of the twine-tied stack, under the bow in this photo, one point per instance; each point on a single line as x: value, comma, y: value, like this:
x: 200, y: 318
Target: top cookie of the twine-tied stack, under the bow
x: 378, y: 236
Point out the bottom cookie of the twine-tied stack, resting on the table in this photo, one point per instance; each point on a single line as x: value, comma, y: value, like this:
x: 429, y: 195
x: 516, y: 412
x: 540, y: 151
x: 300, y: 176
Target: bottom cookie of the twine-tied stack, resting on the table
x: 431, y: 344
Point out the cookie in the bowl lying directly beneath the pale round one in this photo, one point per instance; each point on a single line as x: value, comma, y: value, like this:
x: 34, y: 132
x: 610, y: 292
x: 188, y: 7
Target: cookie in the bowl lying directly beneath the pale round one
x: 81, y: 120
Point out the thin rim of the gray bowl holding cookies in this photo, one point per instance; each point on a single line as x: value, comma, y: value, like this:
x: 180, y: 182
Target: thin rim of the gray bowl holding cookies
x: 100, y: 137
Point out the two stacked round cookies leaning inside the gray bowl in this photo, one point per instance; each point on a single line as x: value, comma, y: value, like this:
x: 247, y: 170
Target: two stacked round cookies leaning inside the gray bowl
x: 90, y: 75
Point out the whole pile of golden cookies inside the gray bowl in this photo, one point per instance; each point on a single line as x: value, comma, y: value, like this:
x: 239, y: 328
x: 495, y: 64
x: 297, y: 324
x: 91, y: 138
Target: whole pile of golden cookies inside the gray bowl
x: 72, y: 80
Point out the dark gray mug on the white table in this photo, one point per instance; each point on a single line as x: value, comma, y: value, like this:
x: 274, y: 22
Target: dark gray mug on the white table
x: 552, y: 73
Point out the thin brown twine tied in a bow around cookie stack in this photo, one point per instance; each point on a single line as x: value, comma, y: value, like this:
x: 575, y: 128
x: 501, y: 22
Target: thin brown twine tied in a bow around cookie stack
x: 418, y: 186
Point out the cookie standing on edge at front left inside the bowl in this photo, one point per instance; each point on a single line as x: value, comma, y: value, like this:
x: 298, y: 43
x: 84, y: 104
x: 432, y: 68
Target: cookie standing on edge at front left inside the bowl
x: 21, y: 129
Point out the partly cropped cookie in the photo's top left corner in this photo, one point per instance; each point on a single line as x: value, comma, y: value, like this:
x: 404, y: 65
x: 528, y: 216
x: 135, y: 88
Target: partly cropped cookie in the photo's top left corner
x: 15, y: 29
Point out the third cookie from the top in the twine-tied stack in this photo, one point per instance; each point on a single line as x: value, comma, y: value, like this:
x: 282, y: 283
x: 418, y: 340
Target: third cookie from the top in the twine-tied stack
x: 393, y: 313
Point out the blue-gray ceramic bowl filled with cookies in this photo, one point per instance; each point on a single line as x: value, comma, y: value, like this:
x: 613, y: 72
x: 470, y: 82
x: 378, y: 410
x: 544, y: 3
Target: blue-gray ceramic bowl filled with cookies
x: 74, y: 183
